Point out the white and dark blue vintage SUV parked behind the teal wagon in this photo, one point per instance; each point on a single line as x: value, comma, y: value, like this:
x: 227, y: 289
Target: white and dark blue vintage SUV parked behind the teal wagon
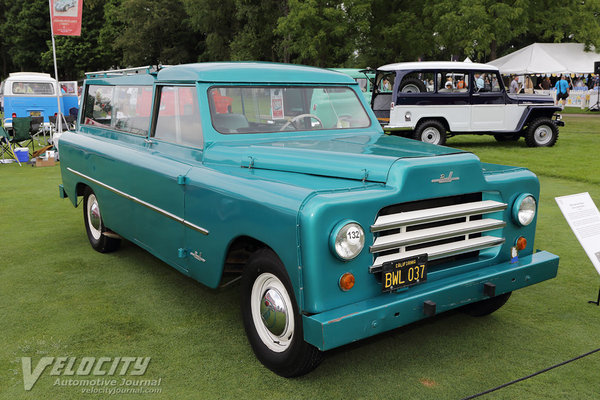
x: 435, y: 100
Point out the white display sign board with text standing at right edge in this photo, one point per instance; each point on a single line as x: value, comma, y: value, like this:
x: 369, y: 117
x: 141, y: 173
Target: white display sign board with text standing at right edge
x: 584, y: 219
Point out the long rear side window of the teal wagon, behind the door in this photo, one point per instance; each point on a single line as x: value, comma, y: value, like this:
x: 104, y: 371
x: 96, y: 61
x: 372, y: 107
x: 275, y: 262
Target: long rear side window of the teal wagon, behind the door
x: 124, y: 108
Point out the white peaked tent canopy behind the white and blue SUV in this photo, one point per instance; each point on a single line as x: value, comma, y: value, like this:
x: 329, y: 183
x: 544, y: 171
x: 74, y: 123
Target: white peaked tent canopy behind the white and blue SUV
x: 548, y: 58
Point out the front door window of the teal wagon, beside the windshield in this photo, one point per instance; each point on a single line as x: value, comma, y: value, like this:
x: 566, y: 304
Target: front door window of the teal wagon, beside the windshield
x: 178, y: 119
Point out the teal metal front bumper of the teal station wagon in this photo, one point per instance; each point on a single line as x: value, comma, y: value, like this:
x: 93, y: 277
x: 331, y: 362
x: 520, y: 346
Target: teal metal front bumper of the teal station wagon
x: 388, y: 311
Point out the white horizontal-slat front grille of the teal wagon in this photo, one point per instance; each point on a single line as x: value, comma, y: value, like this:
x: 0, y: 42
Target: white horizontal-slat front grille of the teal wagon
x: 445, y: 229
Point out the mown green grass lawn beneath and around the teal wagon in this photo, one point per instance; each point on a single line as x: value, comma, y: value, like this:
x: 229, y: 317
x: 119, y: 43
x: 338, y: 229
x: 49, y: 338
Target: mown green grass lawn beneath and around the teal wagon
x: 58, y: 297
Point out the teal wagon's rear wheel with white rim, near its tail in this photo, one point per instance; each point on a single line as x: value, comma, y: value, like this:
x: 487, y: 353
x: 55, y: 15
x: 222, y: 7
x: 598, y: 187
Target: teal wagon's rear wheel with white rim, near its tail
x: 94, y: 225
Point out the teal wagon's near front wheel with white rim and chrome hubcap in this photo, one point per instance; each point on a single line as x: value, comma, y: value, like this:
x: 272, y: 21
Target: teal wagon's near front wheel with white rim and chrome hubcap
x: 272, y: 320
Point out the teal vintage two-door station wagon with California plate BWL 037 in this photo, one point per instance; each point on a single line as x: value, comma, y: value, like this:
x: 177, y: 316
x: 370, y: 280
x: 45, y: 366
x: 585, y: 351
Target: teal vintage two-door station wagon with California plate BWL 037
x: 282, y: 175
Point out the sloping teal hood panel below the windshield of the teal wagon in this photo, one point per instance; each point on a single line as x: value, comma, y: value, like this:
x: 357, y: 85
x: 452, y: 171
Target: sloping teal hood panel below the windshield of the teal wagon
x: 359, y: 157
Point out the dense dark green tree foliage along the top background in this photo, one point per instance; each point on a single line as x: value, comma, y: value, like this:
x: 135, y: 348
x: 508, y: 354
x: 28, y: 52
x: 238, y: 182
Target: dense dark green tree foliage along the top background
x: 325, y: 33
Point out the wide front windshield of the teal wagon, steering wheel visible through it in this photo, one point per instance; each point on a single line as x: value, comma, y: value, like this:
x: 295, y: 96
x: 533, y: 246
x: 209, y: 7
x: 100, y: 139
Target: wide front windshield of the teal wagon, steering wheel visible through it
x: 275, y: 109
